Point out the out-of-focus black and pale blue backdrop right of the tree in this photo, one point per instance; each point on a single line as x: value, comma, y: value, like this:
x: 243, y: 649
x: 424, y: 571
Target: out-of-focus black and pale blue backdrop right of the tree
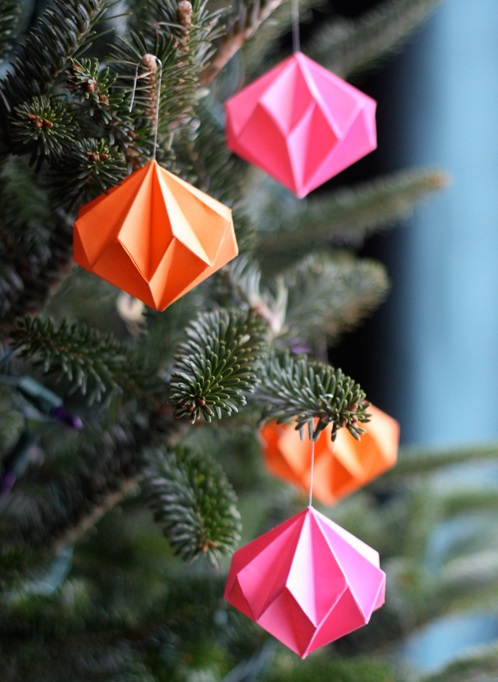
x: 430, y: 354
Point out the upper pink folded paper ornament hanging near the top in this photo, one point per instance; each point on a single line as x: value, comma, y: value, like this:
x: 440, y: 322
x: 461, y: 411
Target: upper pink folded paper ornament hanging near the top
x: 301, y: 124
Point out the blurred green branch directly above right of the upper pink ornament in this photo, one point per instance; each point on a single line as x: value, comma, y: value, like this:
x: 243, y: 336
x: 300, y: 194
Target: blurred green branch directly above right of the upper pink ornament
x: 347, y: 47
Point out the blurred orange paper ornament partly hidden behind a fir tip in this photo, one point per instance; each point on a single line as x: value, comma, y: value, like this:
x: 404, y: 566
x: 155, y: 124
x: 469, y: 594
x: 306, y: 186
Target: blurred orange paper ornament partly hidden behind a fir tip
x: 340, y: 467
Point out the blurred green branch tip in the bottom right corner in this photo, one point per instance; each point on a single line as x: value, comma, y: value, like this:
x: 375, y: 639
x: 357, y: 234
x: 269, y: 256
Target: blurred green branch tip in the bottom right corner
x: 479, y: 665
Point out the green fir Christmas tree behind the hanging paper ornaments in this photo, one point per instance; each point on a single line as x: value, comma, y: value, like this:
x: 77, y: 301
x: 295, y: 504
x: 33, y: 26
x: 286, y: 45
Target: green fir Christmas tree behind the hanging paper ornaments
x: 131, y: 467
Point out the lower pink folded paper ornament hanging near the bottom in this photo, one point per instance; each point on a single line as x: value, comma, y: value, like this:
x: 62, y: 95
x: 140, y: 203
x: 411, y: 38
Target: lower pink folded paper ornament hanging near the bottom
x: 307, y: 582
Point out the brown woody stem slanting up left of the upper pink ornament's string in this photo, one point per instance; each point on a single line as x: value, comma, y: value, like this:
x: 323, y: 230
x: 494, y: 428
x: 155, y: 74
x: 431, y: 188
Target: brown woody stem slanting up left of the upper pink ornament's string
x: 241, y: 26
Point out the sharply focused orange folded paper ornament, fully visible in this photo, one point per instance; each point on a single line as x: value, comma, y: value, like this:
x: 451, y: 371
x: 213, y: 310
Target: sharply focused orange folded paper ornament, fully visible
x: 154, y: 236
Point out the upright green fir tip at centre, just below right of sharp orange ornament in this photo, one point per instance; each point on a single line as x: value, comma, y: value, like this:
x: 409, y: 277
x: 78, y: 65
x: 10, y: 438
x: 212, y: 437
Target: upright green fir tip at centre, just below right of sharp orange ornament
x: 218, y: 365
